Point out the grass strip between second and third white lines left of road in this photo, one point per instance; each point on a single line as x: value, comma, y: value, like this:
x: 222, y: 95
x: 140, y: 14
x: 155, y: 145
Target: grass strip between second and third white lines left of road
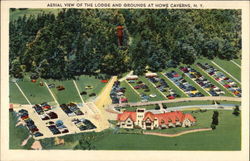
x: 65, y: 96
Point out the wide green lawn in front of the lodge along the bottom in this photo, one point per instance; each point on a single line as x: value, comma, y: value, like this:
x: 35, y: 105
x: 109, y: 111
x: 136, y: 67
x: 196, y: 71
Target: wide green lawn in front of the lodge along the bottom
x: 218, y: 139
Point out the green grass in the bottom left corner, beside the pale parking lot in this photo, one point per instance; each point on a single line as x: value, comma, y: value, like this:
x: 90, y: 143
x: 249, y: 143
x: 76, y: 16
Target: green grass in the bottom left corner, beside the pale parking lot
x: 17, y: 134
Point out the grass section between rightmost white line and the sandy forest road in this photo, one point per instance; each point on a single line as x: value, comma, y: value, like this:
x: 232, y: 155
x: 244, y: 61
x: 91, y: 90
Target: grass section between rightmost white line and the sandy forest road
x: 92, y: 81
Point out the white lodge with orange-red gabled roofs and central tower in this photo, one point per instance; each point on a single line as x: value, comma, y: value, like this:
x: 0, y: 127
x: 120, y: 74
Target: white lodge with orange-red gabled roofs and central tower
x: 147, y: 120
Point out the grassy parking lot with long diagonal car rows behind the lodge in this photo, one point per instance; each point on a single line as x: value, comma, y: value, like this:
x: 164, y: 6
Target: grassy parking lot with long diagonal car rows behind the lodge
x: 197, y: 80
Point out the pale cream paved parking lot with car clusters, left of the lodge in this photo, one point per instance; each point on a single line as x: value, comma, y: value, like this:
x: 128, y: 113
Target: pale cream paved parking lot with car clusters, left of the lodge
x: 44, y: 121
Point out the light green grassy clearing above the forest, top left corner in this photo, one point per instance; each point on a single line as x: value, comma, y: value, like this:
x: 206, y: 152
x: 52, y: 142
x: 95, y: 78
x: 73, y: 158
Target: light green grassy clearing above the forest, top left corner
x: 28, y: 12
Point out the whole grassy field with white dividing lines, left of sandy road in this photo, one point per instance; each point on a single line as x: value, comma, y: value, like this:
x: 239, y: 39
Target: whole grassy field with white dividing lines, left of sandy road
x: 37, y: 94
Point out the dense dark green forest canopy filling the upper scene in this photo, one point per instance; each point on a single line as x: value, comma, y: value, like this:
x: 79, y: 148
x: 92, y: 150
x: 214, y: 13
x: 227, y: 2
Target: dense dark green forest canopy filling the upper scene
x: 84, y: 41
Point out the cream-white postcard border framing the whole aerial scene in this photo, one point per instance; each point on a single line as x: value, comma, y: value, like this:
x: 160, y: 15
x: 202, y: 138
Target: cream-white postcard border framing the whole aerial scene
x: 7, y: 154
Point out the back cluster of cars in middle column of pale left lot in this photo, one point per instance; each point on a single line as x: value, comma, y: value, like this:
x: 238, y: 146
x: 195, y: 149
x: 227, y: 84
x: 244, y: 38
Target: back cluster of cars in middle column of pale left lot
x: 44, y: 111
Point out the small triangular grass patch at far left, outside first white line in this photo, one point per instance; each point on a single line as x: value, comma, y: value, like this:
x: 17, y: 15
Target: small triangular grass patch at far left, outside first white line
x: 15, y: 95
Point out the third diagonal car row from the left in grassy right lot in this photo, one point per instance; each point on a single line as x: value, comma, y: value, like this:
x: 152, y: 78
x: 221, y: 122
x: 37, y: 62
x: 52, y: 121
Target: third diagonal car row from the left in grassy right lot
x: 162, y: 86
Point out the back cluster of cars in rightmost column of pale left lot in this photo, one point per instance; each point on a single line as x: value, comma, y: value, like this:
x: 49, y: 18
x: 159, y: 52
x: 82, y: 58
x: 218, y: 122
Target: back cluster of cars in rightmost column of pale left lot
x: 71, y: 109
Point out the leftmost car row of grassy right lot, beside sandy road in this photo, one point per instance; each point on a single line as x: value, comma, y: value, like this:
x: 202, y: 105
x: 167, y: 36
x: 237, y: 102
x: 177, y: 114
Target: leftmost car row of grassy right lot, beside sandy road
x: 117, y: 93
